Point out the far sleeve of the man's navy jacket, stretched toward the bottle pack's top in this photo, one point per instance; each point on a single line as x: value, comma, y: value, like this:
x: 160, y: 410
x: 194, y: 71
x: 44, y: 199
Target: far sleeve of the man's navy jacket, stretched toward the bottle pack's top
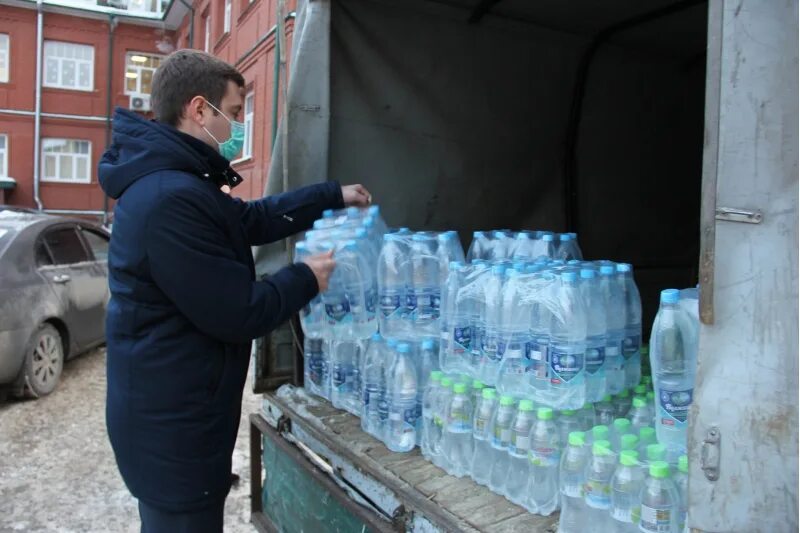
x: 276, y: 217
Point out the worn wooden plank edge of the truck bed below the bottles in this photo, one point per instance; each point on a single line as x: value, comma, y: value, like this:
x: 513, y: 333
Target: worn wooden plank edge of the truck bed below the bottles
x: 455, y: 503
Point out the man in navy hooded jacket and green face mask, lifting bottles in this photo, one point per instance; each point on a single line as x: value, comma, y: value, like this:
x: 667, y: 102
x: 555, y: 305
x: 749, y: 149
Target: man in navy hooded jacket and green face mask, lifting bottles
x: 185, y: 304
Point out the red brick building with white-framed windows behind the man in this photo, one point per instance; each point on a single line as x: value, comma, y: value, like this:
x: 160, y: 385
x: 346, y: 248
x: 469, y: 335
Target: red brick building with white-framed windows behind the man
x: 98, y: 57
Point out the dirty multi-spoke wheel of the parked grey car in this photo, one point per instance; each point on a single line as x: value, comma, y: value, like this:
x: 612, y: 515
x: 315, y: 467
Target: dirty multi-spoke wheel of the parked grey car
x: 44, y: 361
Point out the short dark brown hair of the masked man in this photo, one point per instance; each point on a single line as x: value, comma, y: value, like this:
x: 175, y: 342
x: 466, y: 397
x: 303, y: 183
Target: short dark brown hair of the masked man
x: 186, y: 74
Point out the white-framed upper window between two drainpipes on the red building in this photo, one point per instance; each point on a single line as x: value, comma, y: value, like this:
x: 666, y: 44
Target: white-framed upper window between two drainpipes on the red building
x: 68, y: 66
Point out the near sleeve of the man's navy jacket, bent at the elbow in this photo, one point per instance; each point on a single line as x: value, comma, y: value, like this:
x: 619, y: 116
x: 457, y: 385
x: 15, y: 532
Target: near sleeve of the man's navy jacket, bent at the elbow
x: 191, y: 261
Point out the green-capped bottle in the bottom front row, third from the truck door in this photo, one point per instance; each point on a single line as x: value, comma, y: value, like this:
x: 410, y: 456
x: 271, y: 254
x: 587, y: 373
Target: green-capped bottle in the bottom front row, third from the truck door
x: 626, y: 485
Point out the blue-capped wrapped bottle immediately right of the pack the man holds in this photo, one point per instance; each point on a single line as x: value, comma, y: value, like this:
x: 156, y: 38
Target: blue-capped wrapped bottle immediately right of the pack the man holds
x: 393, y: 277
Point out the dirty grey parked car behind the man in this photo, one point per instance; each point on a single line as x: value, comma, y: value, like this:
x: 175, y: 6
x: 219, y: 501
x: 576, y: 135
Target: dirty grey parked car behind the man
x: 53, y: 296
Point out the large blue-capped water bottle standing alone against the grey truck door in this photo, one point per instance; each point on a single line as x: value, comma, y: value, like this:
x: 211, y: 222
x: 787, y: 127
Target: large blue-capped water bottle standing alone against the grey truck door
x: 673, y: 352
